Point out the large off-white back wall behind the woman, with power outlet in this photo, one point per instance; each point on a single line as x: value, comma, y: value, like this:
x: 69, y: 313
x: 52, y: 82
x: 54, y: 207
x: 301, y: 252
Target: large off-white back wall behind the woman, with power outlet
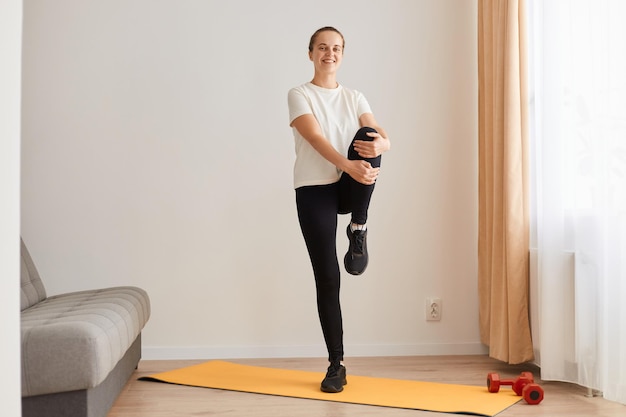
x: 157, y: 153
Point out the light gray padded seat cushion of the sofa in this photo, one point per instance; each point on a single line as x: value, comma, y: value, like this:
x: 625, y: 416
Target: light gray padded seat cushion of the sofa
x: 72, y: 341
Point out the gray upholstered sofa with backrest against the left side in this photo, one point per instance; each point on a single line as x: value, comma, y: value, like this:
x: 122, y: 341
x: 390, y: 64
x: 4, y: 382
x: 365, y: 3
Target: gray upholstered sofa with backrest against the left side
x: 78, y: 349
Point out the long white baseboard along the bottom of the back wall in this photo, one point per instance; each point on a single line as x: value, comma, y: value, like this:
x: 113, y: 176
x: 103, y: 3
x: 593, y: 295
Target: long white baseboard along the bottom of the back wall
x: 312, y: 351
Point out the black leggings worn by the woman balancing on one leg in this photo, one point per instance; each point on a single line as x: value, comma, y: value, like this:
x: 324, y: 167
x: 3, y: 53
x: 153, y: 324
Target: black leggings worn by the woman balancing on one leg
x: 318, y: 207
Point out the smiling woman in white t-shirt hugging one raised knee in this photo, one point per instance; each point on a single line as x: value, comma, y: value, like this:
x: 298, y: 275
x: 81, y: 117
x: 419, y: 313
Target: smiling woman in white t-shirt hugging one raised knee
x: 333, y: 174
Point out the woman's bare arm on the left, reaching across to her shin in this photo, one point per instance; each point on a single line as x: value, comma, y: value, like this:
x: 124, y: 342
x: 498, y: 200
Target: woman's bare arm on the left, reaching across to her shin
x: 310, y: 130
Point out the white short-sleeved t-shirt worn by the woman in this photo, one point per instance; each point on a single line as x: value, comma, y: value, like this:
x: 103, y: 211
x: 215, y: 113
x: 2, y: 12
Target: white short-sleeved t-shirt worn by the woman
x: 337, y: 111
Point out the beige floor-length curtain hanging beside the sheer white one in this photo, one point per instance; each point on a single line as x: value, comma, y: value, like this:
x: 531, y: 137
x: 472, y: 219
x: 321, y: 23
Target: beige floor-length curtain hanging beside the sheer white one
x: 503, y: 271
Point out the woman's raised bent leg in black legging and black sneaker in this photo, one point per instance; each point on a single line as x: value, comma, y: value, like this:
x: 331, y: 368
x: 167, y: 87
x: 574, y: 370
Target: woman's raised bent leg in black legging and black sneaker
x: 355, y: 198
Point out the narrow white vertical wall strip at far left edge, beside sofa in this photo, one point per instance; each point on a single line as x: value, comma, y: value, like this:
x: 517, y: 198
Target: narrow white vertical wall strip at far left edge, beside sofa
x: 10, y: 64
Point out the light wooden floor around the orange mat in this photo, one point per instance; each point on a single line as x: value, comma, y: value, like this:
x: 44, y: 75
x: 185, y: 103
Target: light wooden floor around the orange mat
x: 143, y: 399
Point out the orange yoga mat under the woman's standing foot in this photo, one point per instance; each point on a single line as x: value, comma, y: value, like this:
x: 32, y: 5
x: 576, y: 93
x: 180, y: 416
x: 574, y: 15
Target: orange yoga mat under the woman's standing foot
x: 415, y: 395
